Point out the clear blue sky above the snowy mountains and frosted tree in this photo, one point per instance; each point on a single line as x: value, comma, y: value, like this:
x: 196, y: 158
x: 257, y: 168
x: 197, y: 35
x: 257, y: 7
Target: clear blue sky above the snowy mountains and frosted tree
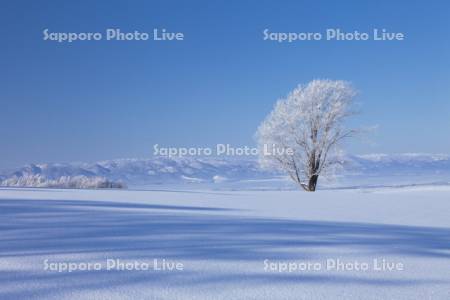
x: 88, y: 101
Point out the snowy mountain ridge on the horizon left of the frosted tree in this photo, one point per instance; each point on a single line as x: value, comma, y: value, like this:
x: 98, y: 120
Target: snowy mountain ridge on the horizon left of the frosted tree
x: 139, y: 172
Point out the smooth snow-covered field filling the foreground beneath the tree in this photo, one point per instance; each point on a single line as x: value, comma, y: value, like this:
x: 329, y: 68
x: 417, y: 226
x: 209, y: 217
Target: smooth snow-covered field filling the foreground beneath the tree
x: 229, y: 244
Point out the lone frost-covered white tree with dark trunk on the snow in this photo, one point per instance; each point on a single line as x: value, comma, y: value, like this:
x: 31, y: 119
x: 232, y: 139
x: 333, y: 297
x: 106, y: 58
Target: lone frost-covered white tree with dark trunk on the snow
x: 302, y: 134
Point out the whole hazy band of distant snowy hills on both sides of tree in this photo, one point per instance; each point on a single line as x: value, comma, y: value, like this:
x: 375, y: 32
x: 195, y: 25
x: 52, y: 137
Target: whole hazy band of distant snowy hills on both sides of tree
x: 228, y: 173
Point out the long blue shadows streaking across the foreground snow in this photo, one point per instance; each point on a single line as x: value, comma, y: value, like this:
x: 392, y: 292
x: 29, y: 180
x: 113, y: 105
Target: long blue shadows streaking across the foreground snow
x: 145, y: 231
